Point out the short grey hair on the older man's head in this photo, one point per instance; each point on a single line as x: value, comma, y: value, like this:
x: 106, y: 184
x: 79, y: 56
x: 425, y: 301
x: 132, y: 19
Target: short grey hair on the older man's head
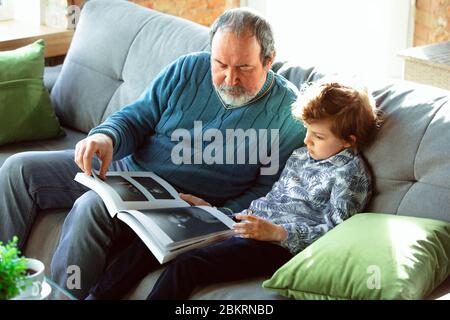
x: 241, y: 20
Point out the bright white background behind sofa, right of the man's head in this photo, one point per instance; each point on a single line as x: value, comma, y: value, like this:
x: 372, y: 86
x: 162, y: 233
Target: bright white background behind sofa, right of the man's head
x: 351, y: 36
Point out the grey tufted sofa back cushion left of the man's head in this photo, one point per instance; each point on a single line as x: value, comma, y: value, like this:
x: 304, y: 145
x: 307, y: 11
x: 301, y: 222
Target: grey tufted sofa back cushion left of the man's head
x: 117, y: 49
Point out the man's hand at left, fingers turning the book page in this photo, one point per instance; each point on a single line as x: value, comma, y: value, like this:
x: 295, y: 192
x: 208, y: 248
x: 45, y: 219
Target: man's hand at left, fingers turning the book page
x: 99, y: 144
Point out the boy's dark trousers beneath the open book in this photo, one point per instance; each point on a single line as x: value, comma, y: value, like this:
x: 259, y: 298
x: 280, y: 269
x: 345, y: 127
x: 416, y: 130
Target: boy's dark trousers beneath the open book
x: 232, y: 259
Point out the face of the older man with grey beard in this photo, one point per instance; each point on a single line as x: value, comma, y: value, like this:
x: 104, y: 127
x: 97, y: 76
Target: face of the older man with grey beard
x: 237, y: 70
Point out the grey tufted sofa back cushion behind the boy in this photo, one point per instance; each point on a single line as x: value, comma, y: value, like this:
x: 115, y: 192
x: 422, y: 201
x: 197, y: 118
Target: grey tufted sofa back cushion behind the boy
x: 410, y: 157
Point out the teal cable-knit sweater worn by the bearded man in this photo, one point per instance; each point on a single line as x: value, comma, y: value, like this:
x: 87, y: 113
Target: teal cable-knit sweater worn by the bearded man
x: 181, y: 130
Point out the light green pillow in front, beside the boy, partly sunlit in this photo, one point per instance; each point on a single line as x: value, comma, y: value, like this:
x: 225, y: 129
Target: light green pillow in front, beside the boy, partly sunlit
x: 369, y: 256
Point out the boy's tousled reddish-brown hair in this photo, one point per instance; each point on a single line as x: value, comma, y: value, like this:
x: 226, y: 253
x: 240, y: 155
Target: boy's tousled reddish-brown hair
x: 351, y: 109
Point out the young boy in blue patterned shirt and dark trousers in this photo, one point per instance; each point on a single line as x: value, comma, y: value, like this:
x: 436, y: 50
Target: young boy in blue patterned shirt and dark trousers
x: 321, y: 185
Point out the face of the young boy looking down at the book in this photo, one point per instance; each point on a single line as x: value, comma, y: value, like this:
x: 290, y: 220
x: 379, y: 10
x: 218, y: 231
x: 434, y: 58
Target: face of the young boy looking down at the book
x: 321, y: 142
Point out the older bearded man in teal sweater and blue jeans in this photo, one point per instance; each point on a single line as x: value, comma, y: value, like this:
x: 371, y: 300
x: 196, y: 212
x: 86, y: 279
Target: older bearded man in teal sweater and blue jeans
x: 232, y: 89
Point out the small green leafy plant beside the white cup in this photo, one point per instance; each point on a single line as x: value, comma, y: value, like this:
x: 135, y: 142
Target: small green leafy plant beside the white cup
x: 12, y: 269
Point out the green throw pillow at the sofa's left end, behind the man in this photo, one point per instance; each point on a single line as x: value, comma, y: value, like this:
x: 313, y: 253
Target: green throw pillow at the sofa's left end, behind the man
x: 26, y: 112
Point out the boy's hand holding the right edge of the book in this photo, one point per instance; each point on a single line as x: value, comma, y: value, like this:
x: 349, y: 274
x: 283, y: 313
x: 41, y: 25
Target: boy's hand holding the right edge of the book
x: 257, y: 228
